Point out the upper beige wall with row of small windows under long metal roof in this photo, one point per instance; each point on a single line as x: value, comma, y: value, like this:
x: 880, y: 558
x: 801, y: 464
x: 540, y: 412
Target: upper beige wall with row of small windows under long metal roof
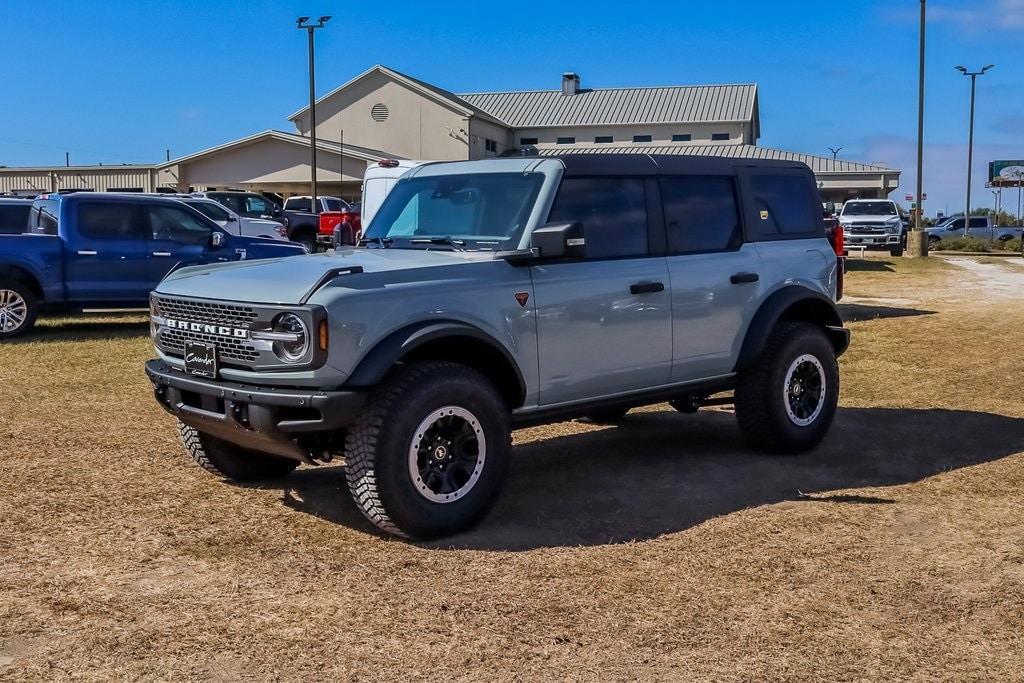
x: 701, y: 134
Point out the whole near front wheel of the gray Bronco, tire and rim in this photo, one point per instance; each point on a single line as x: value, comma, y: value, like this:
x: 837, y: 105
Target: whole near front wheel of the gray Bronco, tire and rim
x: 430, y: 453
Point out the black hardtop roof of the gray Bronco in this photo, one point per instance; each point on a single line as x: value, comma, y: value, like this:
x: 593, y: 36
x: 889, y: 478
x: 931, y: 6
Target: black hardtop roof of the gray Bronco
x: 641, y: 164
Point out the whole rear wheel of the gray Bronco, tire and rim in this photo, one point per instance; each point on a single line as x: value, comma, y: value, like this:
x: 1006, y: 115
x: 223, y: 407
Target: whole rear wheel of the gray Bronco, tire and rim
x: 787, y: 401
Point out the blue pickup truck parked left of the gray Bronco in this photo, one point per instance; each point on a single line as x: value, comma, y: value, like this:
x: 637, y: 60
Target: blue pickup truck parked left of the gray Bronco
x: 98, y: 250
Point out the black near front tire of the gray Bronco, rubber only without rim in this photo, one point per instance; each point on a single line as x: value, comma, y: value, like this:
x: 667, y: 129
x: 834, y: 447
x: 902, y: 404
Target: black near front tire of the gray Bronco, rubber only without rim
x: 377, y: 450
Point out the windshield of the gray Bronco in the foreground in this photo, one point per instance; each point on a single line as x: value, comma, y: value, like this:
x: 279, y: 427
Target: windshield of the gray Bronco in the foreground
x: 473, y: 211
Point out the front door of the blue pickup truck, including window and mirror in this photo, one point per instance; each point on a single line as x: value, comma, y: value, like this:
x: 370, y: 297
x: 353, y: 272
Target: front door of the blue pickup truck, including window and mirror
x: 180, y: 237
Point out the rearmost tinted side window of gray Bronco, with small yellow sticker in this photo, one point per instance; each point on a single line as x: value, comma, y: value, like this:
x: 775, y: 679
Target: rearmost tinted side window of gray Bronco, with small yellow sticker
x: 785, y: 205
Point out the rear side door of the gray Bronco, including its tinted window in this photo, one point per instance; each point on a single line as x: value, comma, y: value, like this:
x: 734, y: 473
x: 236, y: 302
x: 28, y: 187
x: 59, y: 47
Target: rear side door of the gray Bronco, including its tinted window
x: 716, y: 278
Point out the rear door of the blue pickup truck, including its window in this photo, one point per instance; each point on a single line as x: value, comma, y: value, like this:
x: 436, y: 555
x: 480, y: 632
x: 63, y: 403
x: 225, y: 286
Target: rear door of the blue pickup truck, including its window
x: 107, y: 260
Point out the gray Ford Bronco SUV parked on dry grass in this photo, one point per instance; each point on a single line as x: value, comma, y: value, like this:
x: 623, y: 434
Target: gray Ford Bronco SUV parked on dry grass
x: 490, y: 295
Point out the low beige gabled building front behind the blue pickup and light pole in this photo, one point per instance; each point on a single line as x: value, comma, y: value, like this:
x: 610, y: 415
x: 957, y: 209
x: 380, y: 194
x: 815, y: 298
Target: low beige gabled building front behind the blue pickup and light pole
x: 272, y: 162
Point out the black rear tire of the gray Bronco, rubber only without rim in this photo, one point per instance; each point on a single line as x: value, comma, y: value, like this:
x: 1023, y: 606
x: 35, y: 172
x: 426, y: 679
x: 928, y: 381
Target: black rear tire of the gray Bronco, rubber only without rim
x: 761, y: 399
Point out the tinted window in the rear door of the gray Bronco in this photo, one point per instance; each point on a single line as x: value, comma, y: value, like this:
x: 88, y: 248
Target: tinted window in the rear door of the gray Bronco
x: 701, y: 214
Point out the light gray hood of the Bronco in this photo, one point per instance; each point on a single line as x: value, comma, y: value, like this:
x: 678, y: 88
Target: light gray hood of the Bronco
x: 286, y: 281
